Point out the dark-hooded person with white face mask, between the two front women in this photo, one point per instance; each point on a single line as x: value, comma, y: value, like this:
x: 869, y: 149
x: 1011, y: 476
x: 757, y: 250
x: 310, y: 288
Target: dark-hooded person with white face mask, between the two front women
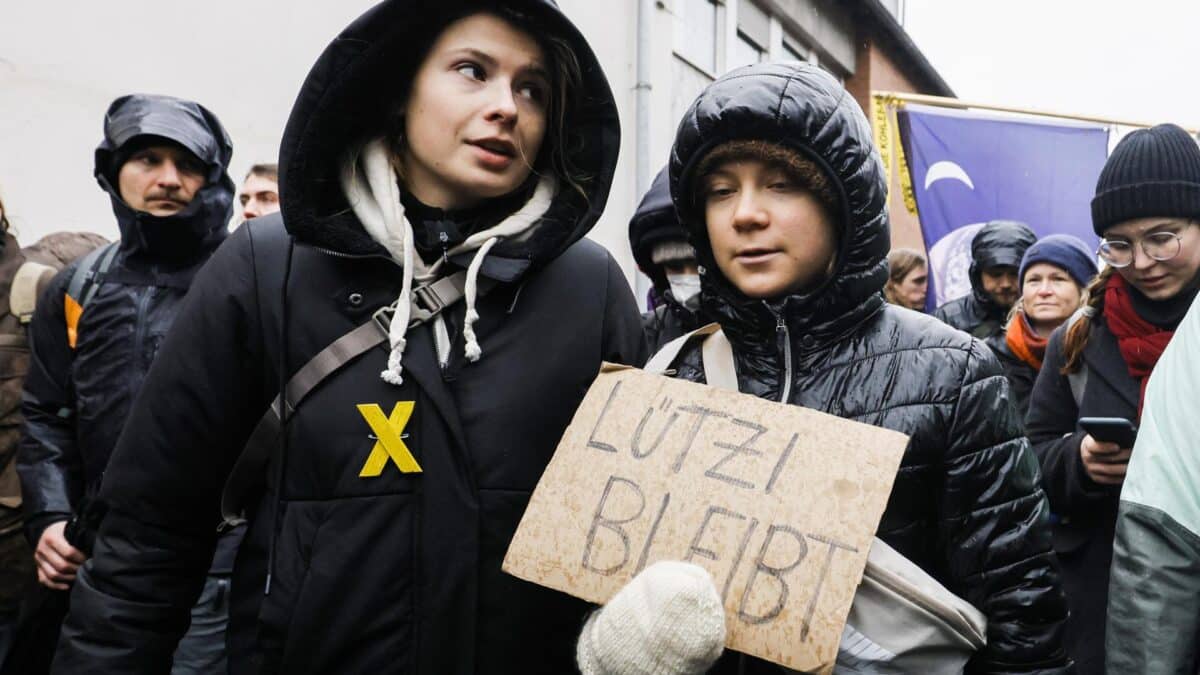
x: 663, y: 253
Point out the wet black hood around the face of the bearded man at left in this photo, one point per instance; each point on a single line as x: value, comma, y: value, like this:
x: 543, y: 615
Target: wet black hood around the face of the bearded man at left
x: 201, y: 226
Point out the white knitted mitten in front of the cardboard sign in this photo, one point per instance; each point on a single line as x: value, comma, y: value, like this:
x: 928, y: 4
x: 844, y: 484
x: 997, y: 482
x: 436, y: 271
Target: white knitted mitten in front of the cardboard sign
x: 668, y: 620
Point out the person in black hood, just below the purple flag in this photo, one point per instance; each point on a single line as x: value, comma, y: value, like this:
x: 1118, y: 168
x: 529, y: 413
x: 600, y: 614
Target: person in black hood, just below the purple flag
x: 995, y: 258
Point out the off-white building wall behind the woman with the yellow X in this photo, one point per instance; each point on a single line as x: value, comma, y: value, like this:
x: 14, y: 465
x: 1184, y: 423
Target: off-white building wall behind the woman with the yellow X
x: 63, y: 63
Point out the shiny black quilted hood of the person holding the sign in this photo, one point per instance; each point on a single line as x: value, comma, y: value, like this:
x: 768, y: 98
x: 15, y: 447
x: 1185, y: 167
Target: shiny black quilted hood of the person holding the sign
x: 805, y: 109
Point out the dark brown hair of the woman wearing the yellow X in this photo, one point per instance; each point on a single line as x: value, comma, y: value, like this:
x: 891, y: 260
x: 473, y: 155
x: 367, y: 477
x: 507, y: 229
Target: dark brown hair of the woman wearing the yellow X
x: 566, y: 85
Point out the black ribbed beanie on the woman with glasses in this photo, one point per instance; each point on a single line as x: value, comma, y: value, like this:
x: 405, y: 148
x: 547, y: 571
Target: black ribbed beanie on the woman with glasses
x: 1153, y: 172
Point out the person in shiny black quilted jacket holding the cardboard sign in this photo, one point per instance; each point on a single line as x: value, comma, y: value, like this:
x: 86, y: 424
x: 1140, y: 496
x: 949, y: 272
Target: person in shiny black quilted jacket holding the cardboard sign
x: 775, y: 174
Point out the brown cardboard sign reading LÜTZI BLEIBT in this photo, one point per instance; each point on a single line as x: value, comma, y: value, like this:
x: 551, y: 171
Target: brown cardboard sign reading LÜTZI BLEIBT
x: 778, y: 503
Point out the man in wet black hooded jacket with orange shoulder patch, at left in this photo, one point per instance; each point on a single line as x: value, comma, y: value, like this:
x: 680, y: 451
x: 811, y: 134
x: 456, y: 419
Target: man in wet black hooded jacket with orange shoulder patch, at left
x: 98, y: 328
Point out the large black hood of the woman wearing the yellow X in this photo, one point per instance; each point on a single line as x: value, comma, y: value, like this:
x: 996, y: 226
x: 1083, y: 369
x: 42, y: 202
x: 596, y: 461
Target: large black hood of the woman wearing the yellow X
x: 353, y: 88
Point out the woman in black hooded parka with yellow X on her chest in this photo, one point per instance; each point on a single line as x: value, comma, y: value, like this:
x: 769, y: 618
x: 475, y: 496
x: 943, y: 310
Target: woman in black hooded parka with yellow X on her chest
x: 389, y: 501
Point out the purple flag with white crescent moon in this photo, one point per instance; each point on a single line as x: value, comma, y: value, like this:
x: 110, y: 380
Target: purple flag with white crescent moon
x: 969, y: 169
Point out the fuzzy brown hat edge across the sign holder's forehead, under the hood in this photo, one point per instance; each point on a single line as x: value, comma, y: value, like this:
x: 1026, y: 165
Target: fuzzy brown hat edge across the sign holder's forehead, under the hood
x: 807, y: 174
